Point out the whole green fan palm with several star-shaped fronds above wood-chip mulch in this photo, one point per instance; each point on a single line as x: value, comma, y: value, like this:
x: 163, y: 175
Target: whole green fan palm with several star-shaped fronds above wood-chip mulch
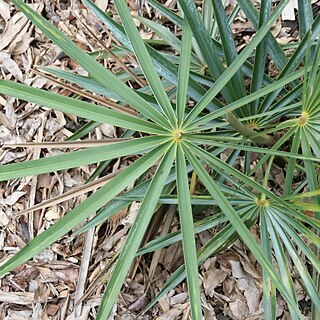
x: 184, y: 140
